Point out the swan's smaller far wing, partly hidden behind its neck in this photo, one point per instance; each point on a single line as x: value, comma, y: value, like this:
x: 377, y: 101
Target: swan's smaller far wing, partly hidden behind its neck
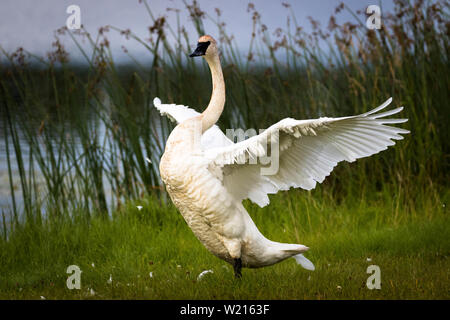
x: 212, y: 138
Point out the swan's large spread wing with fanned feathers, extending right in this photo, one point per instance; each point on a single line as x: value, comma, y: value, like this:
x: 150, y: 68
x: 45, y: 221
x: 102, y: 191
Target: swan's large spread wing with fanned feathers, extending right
x: 302, y: 152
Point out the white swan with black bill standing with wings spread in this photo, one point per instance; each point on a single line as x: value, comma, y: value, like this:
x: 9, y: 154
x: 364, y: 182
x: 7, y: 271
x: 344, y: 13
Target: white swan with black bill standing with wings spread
x: 207, y: 175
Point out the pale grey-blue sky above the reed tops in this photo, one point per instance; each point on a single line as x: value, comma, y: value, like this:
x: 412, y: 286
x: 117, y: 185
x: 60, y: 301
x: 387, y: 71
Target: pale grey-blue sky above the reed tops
x: 32, y: 24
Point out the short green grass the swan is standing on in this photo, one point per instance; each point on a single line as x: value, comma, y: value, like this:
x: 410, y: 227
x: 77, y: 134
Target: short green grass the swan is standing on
x: 413, y: 256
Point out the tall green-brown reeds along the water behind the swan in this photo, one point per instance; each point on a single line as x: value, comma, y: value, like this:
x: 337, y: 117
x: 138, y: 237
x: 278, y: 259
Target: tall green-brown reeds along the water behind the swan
x: 79, y: 137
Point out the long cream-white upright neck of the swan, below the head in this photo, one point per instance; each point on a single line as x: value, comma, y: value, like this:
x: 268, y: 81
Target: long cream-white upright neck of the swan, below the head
x: 215, y: 107
